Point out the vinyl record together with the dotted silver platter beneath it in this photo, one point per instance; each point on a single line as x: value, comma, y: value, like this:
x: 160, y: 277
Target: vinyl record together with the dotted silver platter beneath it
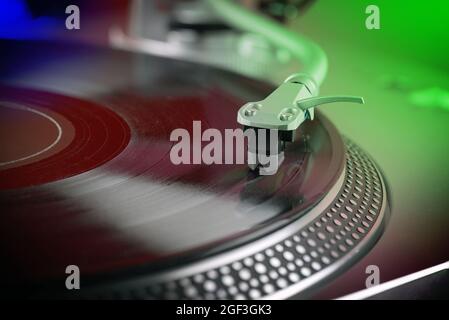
x: 86, y: 179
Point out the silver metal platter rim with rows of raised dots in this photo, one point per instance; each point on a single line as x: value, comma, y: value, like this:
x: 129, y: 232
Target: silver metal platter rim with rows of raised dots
x: 339, y: 230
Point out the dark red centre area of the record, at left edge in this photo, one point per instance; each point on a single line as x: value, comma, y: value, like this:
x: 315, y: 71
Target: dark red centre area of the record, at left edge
x: 93, y: 135
